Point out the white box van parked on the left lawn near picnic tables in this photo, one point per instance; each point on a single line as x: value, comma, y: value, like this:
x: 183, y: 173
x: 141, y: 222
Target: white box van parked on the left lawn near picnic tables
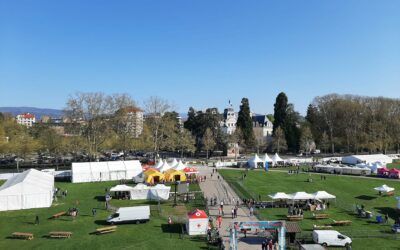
x: 130, y: 215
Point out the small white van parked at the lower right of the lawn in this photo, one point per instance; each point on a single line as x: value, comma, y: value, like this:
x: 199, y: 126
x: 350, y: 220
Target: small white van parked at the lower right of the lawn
x: 330, y: 238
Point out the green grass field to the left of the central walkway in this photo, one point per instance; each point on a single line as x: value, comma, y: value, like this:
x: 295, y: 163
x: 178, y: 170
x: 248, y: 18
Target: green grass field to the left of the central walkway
x: 151, y: 235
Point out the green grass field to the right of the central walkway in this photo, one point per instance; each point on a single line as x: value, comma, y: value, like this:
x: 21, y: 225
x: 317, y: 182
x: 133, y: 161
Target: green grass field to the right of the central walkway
x: 366, y: 234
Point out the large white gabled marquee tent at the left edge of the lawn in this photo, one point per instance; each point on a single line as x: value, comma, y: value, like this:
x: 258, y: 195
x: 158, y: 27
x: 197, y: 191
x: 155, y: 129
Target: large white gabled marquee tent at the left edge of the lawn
x: 30, y: 189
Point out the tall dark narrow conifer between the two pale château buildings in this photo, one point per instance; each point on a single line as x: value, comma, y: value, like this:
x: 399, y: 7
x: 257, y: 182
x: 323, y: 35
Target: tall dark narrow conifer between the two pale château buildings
x: 245, y: 123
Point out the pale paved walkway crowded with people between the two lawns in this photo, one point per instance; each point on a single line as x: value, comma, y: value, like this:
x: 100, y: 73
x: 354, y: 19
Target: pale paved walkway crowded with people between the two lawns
x: 214, y: 187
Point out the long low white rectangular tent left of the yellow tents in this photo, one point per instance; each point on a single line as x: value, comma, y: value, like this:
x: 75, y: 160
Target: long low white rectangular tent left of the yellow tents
x: 105, y: 171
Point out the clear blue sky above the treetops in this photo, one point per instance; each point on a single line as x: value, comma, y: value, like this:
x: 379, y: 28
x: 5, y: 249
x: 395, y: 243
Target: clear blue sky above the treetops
x: 198, y: 53
